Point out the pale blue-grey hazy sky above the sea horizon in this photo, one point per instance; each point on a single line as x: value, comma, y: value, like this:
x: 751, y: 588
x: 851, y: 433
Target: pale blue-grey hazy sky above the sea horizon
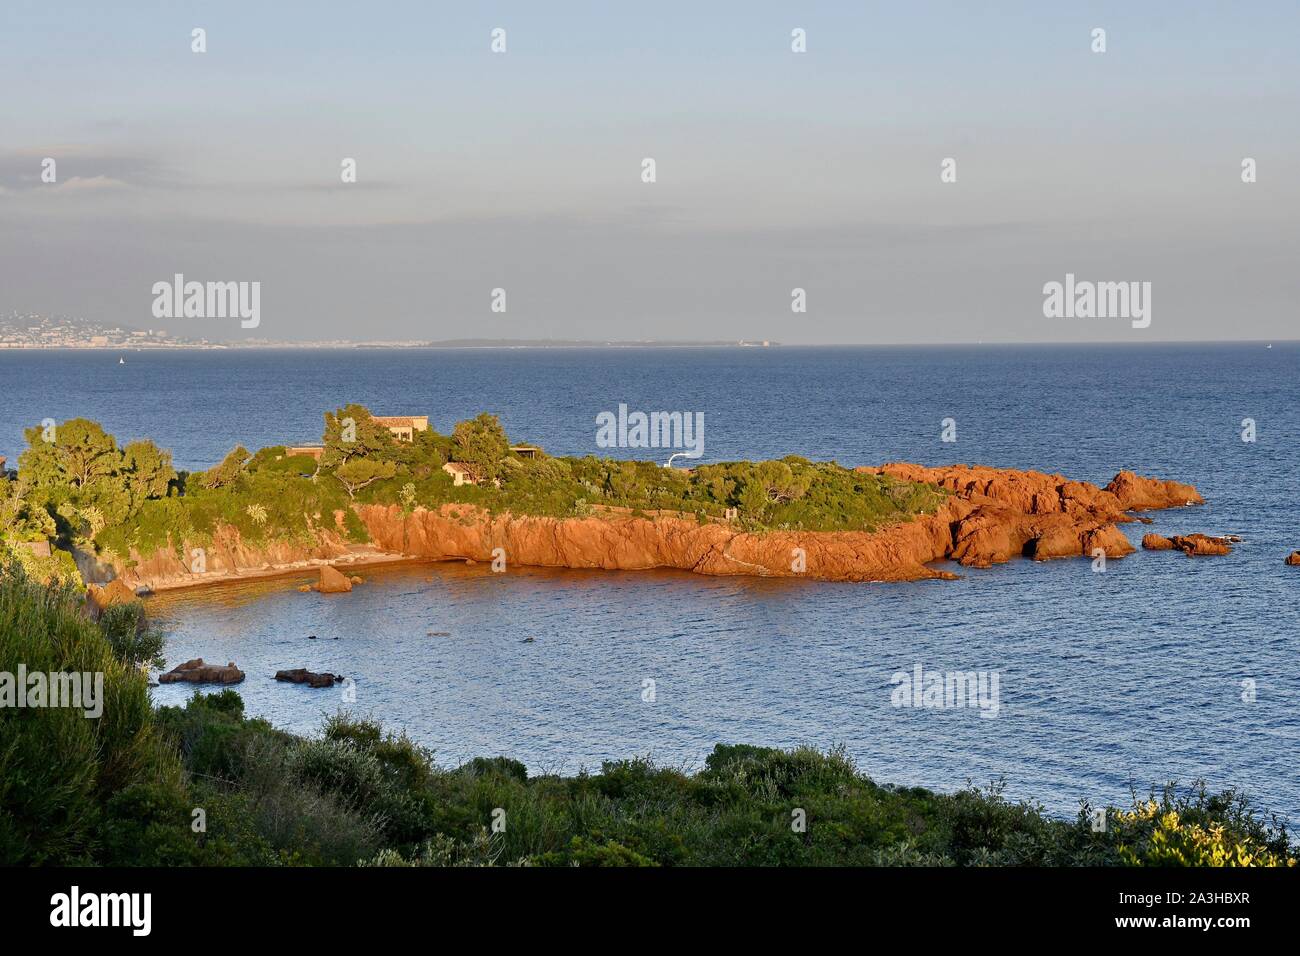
x: 774, y: 171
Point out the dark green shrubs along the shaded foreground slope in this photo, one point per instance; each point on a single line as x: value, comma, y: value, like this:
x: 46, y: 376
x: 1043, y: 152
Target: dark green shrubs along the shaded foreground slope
x: 205, y: 785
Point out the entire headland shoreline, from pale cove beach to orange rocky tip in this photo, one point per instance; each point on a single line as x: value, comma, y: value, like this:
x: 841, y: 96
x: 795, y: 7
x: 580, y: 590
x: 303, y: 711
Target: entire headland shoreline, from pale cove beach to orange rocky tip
x: 991, y: 516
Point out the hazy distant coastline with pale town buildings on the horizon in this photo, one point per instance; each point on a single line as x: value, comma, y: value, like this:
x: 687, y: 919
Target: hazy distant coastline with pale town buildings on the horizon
x: 38, y: 331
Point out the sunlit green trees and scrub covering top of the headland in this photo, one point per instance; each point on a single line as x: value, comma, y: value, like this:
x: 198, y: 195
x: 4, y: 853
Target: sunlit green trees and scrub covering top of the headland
x: 80, y: 490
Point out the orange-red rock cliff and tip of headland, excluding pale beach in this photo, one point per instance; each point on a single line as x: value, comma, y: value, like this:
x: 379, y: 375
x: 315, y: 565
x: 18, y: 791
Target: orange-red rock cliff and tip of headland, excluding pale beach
x: 991, y: 517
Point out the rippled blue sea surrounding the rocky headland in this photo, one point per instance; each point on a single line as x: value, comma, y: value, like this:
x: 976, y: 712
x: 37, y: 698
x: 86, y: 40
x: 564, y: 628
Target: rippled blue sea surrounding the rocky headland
x: 1108, y: 681
